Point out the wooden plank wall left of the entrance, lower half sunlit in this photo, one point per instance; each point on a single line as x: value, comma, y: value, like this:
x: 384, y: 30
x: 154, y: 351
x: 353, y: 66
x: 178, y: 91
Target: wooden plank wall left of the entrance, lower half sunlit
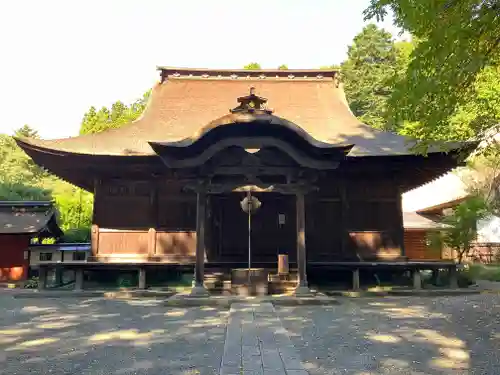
x: 143, y: 220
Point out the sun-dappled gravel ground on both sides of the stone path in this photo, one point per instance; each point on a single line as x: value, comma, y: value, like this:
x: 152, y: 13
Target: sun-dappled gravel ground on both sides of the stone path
x: 411, y: 335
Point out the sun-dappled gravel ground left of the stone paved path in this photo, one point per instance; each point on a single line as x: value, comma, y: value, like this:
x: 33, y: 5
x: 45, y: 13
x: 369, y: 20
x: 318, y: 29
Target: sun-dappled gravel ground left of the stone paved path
x: 70, y: 336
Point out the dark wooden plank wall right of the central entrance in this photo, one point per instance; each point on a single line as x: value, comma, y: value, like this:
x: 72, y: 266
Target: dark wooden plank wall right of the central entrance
x: 349, y: 219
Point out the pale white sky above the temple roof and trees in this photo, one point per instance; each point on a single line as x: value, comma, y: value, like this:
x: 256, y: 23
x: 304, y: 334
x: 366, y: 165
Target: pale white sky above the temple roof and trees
x: 59, y: 57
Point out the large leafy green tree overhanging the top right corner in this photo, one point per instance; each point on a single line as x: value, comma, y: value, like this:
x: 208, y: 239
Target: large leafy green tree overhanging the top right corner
x: 457, y: 40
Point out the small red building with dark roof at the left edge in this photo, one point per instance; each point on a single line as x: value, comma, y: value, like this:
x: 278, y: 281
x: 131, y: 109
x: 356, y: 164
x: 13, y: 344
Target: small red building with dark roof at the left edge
x: 20, y: 222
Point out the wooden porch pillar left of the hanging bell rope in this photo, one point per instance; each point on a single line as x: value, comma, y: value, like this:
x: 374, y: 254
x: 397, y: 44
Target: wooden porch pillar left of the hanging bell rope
x: 199, y: 268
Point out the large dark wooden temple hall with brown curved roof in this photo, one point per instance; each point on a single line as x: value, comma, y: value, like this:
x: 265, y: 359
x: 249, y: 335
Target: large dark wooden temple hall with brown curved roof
x: 169, y: 186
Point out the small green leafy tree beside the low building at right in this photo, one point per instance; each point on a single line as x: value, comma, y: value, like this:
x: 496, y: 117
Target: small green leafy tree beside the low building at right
x: 461, y: 230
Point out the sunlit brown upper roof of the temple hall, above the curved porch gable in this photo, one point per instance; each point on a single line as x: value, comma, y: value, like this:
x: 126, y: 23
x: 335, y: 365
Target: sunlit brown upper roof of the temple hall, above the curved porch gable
x: 186, y: 100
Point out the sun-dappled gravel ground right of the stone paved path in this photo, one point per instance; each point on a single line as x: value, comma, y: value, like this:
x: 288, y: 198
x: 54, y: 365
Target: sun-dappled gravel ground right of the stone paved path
x: 413, y: 335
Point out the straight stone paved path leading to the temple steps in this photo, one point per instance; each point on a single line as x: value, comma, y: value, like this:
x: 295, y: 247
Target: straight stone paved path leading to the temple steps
x: 257, y: 344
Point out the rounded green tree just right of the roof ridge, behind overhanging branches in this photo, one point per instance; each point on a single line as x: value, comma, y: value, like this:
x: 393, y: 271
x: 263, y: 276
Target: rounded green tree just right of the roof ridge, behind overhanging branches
x: 369, y: 73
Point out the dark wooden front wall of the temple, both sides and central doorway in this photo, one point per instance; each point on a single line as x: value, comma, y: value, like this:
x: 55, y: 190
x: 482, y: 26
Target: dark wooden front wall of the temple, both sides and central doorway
x: 159, y: 222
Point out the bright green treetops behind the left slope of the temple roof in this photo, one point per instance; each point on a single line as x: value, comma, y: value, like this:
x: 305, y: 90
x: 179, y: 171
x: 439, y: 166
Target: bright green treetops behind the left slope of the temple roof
x: 95, y: 121
